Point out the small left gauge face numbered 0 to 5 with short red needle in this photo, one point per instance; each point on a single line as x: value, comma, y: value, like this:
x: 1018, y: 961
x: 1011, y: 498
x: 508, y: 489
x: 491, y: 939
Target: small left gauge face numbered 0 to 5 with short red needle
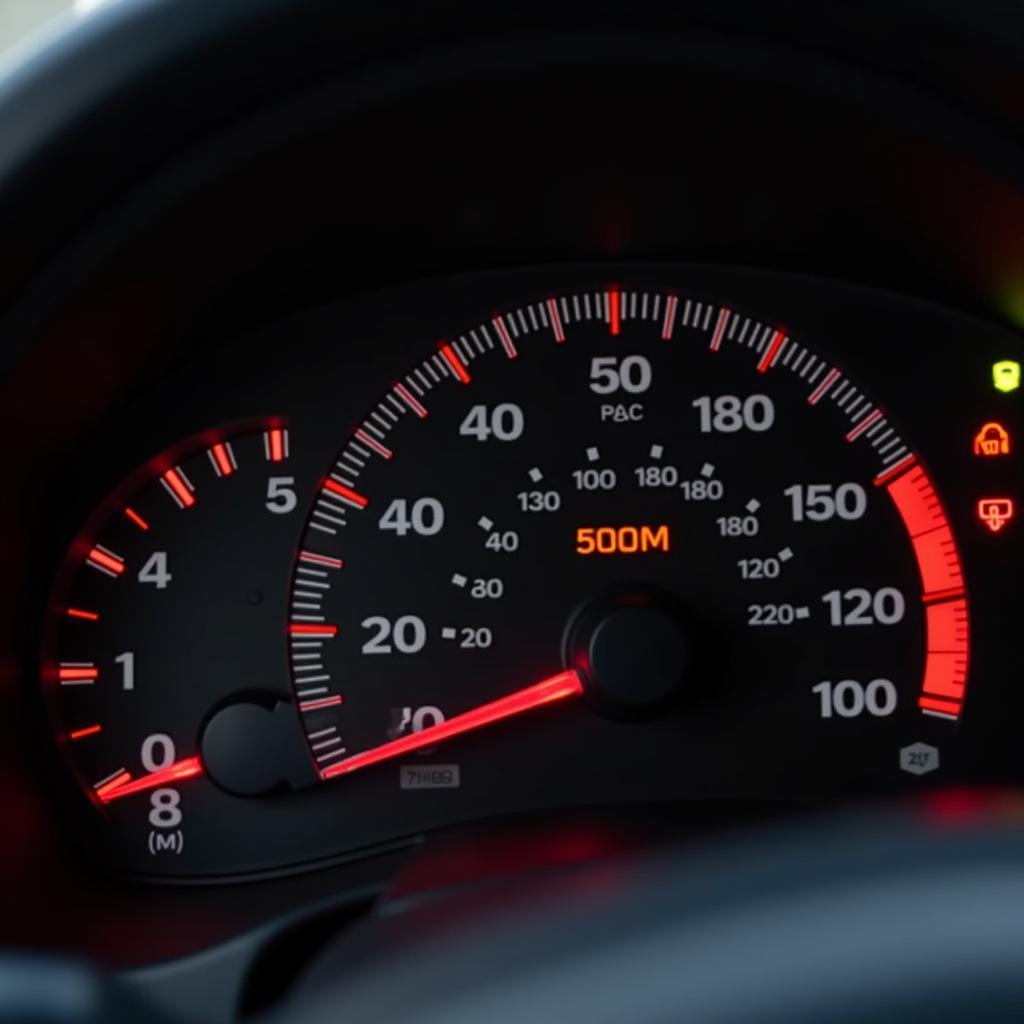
x: 170, y: 608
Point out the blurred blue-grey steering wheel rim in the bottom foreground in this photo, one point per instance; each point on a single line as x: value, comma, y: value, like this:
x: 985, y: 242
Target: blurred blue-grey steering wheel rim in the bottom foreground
x: 847, y: 921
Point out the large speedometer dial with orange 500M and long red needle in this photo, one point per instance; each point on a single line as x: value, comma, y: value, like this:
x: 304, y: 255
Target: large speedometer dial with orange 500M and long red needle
x: 643, y: 501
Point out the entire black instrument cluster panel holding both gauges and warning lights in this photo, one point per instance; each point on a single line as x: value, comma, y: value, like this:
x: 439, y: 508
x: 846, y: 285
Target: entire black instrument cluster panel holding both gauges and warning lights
x: 616, y: 544
